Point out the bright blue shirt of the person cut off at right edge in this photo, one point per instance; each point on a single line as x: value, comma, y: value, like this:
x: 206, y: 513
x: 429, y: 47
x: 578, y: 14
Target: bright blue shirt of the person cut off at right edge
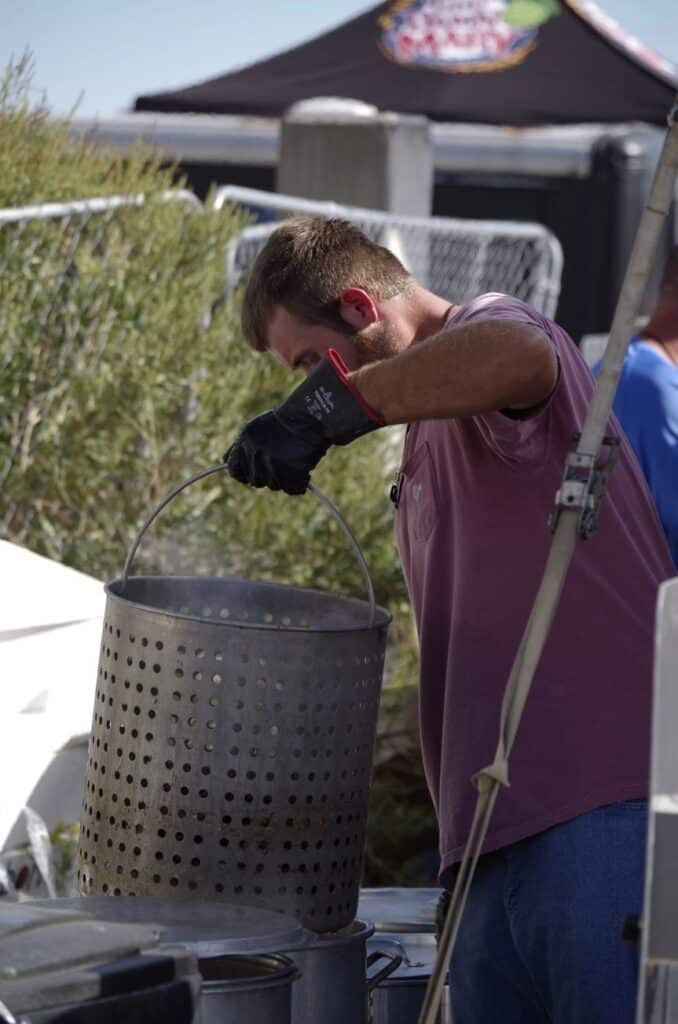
x: 647, y: 406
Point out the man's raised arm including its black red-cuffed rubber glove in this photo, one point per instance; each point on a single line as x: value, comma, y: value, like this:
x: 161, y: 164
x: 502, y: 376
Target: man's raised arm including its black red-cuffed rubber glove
x: 464, y: 371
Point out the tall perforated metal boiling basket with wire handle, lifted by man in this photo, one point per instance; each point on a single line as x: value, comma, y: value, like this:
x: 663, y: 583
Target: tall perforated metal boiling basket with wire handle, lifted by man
x: 232, y: 742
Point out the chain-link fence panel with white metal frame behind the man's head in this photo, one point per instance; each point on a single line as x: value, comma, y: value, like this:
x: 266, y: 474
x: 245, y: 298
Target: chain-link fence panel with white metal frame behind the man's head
x: 455, y: 259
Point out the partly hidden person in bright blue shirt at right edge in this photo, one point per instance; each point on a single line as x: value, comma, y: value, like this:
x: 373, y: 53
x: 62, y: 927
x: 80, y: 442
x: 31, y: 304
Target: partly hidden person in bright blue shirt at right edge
x: 647, y: 402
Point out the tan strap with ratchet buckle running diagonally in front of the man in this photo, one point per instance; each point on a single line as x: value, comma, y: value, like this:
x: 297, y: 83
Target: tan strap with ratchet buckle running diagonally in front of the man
x: 568, y: 530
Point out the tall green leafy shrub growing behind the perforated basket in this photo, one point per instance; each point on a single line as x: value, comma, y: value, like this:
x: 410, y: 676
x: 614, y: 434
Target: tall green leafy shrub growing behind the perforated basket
x: 122, y: 375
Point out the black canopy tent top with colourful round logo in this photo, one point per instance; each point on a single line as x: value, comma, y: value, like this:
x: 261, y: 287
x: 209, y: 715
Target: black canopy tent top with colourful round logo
x: 550, y: 62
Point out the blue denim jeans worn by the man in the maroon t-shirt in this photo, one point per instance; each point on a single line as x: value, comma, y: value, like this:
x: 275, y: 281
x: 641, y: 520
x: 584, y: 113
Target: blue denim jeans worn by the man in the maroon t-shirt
x: 541, y: 937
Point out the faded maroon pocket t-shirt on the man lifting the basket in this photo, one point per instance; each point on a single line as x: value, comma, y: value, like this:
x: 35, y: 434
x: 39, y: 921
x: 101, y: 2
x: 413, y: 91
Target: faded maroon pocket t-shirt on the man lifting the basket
x: 473, y: 533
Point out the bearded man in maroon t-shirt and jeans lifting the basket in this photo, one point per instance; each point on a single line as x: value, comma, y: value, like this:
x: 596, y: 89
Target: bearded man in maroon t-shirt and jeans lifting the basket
x: 492, y: 393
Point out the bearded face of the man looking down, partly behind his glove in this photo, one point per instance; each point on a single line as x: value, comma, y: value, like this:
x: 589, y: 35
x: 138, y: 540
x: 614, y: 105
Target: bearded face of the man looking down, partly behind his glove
x: 302, y: 347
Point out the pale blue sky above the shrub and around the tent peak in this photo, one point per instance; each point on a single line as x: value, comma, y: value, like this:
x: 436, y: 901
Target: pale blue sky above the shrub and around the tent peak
x: 112, y: 53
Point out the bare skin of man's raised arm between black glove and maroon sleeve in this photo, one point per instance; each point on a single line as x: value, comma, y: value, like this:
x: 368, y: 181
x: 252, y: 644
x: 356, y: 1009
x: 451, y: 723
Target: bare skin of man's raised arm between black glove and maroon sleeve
x: 463, y: 371
